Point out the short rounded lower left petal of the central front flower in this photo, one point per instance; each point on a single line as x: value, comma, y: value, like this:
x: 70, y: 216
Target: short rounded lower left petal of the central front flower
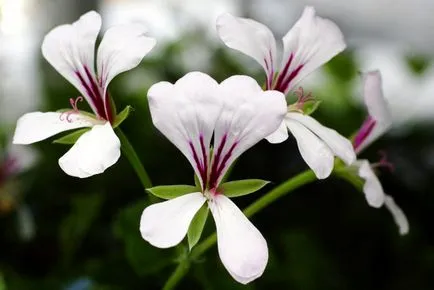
x: 165, y: 224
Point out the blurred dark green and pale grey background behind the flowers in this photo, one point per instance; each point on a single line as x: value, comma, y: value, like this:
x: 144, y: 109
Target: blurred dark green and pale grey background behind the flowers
x: 58, y: 232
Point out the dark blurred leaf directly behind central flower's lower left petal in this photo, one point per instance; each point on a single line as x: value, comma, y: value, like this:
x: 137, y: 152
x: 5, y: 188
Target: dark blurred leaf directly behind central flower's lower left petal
x: 144, y: 258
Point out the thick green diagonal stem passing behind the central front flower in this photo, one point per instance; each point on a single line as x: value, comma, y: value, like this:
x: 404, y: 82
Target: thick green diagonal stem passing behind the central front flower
x: 276, y: 193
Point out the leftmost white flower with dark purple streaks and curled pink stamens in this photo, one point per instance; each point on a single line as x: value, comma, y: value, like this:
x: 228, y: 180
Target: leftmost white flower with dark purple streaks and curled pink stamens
x: 70, y: 49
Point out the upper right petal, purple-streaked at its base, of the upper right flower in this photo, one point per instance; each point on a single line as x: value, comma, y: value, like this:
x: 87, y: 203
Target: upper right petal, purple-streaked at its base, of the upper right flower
x: 312, y: 41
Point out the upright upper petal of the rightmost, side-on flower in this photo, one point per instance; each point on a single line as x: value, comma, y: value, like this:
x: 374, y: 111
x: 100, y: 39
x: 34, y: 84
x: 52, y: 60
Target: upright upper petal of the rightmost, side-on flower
x: 377, y: 108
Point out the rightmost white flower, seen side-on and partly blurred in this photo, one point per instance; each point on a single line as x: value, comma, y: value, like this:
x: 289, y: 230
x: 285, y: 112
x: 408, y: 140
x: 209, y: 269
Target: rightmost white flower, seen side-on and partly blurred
x: 379, y: 120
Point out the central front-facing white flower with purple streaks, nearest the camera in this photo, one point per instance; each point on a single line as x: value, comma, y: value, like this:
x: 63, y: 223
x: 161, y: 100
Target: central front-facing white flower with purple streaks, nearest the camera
x: 235, y: 114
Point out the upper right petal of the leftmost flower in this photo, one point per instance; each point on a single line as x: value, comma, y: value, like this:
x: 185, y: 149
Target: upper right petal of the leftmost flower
x: 122, y: 48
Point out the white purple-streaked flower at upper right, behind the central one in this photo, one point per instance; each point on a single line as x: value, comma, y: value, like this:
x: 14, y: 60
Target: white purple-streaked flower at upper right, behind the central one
x: 310, y: 43
